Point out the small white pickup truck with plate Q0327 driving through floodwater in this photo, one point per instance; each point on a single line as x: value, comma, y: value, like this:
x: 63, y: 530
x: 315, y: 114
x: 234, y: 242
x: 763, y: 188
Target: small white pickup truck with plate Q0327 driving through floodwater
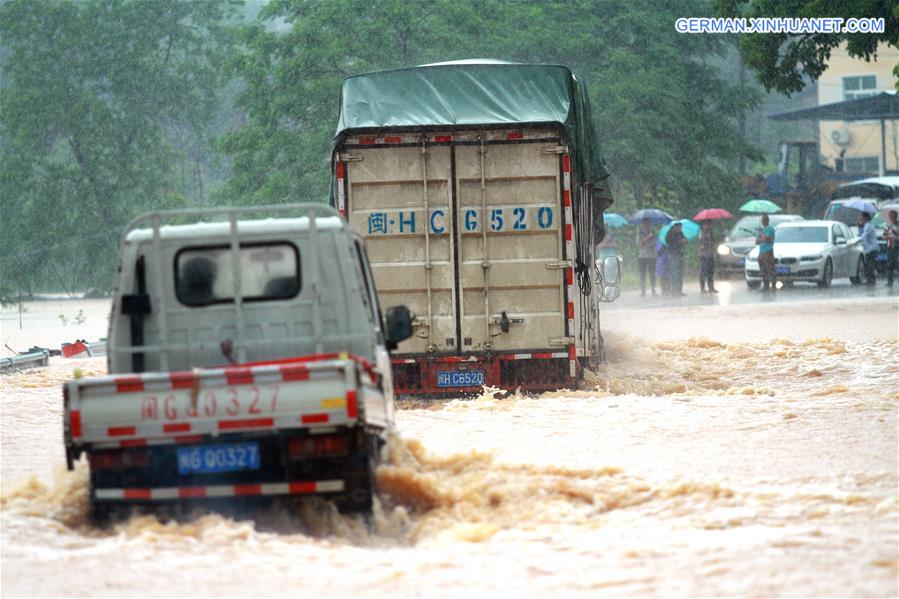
x: 246, y: 359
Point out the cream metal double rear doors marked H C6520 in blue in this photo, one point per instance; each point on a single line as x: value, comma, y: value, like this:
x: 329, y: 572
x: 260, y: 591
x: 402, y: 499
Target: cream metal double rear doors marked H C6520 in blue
x: 466, y: 230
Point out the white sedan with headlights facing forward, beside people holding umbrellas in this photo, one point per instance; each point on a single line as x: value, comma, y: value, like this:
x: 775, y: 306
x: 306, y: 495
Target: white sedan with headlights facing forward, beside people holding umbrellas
x: 813, y: 250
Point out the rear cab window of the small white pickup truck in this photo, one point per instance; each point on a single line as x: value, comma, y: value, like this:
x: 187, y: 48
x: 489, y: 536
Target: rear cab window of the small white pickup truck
x: 268, y: 271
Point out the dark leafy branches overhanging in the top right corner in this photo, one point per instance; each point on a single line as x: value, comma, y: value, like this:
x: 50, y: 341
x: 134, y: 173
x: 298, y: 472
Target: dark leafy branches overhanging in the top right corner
x: 784, y: 61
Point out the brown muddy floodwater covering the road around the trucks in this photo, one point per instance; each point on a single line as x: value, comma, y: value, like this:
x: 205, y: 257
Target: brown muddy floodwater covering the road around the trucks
x: 721, y: 451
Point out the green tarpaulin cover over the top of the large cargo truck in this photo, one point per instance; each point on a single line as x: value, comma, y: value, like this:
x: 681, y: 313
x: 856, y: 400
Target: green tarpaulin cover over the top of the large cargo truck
x: 472, y: 93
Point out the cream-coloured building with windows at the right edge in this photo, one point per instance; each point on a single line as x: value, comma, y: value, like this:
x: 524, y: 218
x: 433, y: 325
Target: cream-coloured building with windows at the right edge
x: 855, y: 148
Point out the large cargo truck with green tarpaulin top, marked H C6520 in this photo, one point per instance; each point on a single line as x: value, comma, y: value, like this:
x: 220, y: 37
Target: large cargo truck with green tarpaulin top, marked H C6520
x: 479, y: 188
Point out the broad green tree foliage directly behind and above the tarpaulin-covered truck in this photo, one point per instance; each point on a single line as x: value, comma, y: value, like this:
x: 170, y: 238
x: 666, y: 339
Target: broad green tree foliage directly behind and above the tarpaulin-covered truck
x: 665, y: 115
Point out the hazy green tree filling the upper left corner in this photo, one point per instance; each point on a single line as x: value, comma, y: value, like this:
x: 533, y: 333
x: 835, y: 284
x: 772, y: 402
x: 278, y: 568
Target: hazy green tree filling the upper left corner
x: 93, y: 97
